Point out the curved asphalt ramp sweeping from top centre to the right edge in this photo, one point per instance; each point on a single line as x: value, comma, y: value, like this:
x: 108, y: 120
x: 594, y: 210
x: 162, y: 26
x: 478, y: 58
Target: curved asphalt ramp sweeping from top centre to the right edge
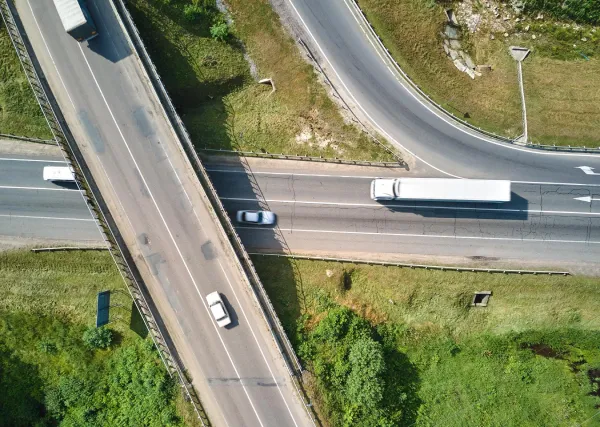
x: 359, y: 71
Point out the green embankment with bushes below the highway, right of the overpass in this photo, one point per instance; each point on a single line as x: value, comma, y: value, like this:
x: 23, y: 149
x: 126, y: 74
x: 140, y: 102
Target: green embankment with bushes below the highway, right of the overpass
x: 530, y: 358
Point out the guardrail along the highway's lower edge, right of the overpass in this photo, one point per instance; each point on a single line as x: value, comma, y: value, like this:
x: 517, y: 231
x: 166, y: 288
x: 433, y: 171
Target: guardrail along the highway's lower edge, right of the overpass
x: 422, y: 266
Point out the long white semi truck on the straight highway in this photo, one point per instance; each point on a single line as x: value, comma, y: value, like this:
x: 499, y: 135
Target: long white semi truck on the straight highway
x: 441, y: 189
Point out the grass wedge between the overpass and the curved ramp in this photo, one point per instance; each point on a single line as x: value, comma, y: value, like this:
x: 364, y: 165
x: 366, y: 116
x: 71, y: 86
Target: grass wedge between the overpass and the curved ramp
x: 220, y: 102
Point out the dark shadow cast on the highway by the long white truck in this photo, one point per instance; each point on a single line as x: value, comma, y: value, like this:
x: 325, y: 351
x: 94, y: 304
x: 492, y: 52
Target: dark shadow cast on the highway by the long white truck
x: 516, y: 209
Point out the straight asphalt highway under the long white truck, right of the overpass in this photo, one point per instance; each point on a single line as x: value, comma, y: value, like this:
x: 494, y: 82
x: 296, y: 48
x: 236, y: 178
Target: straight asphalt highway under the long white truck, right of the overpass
x: 333, y: 213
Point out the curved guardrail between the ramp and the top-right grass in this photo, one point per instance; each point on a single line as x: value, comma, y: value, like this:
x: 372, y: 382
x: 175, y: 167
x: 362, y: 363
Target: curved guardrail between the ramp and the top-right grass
x: 420, y: 91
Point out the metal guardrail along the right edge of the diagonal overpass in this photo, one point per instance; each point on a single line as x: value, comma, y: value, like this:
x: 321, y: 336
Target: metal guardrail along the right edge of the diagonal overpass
x: 222, y: 218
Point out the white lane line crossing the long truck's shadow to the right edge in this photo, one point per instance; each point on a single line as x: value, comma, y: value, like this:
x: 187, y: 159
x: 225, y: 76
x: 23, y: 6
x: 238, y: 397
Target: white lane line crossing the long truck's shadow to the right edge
x: 451, y: 208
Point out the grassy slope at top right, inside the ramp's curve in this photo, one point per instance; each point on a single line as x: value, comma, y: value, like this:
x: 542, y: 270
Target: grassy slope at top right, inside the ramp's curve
x: 562, y: 88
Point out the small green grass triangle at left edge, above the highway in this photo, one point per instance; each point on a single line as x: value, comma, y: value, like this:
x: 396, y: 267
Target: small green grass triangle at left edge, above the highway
x: 20, y: 113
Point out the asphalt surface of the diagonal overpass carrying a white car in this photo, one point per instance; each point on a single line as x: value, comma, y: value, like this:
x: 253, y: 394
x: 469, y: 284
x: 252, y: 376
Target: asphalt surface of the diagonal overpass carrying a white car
x: 164, y: 217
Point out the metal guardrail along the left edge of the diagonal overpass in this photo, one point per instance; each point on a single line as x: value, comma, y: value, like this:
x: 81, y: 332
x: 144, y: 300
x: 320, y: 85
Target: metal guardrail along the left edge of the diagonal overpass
x: 94, y: 200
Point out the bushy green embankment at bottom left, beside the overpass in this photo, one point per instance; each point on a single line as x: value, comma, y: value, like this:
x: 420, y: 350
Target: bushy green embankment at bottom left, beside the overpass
x: 48, y: 375
